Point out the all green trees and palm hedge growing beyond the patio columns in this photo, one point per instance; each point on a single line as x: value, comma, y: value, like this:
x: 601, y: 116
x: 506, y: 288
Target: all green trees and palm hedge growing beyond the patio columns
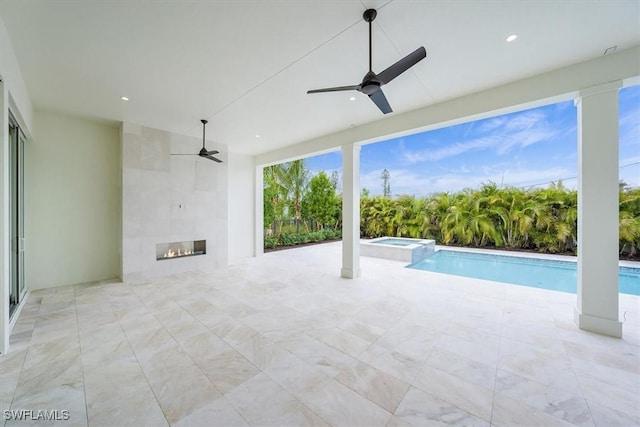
x: 299, y: 210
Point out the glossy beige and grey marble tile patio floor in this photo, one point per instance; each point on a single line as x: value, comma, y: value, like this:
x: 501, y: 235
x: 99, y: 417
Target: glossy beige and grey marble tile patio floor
x: 282, y: 340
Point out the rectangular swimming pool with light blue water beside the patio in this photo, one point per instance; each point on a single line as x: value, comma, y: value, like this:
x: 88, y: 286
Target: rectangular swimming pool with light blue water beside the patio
x: 537, y: 273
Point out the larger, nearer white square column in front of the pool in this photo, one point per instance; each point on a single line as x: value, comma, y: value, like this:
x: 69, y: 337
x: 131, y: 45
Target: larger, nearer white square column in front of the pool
x: 597, y: 307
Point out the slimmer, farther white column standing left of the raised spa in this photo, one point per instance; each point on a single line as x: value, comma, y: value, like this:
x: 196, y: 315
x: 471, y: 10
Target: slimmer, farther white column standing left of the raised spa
x: 350, y: 211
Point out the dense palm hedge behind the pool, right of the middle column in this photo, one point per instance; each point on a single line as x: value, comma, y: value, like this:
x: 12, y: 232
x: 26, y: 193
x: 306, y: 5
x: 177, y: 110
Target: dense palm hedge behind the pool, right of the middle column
x: 543, y: 220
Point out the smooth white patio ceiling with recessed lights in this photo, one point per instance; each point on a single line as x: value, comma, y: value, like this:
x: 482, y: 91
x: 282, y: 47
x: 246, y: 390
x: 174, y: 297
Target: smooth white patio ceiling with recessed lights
x: 246, y: 65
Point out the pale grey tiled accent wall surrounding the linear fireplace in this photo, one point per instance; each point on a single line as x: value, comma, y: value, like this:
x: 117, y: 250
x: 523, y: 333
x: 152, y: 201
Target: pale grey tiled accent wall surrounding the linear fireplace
x: 170, y: 198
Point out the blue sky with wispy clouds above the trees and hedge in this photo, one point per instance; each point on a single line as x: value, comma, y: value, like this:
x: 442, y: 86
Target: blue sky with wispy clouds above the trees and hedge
x: 523, y: 149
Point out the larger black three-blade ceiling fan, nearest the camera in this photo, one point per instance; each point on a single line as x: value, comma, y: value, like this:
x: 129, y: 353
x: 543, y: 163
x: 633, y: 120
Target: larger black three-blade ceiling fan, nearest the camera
x: 372, y: 83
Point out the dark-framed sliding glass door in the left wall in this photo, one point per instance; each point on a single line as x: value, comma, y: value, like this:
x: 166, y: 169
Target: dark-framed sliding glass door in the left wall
x: 16, y: 215
